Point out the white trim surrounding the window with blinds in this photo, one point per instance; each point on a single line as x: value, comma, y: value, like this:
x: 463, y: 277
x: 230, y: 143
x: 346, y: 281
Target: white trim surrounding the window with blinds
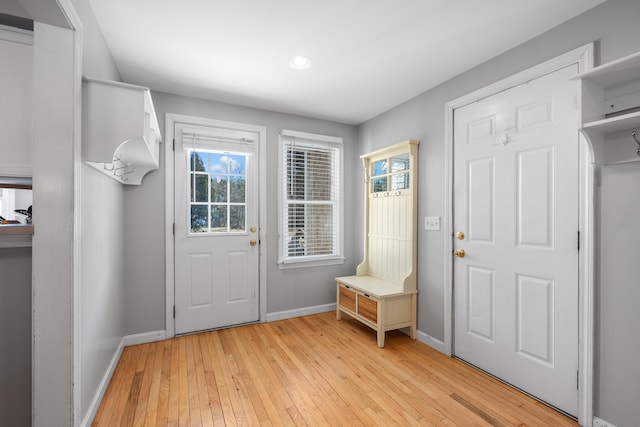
x: 320, y: 141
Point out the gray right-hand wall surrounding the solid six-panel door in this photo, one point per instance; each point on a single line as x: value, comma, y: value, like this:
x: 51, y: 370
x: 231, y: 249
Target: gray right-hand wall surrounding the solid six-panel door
x: 614, y: 27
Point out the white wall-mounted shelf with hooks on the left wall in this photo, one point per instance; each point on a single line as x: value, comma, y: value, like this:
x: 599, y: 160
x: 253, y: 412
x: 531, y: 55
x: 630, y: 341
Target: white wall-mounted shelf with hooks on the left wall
x: 120, y: 135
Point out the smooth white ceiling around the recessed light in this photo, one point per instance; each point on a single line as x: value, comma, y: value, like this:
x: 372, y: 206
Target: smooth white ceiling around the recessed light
x: 368, y: 55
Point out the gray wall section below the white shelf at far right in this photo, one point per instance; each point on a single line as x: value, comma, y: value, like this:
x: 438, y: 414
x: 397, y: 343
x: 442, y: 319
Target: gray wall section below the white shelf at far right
x: 617, y: 376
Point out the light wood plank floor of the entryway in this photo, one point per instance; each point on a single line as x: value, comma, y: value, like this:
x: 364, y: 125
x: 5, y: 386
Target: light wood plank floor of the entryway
x: 310, y: 371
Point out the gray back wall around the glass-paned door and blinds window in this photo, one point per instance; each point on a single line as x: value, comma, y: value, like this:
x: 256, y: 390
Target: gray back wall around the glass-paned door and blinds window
x: 286, y: 289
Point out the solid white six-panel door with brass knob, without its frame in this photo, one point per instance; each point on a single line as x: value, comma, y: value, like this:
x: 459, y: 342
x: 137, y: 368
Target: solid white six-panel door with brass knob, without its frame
x: 516, y: 218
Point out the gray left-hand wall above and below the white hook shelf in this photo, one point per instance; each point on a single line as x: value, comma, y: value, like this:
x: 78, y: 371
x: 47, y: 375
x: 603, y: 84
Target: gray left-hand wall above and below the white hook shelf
x: 101, y: 317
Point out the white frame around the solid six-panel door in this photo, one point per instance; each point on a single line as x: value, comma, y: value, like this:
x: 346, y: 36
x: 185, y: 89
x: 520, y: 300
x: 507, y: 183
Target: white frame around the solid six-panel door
x: 583, y: 56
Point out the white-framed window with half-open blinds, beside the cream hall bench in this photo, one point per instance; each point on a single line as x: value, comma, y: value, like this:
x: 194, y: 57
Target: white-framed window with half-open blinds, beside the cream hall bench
x: 311, y: 197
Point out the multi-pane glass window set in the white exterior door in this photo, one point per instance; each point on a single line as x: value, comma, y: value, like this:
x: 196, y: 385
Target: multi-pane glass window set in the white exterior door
x: 217, y: 192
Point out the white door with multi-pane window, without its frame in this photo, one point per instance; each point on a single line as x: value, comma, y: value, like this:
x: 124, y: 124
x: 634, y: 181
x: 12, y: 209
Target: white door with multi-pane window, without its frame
x: 216, y: 229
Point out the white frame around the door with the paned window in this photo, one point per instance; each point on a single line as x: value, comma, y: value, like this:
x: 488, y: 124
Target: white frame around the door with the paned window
x: 169, y: 162
